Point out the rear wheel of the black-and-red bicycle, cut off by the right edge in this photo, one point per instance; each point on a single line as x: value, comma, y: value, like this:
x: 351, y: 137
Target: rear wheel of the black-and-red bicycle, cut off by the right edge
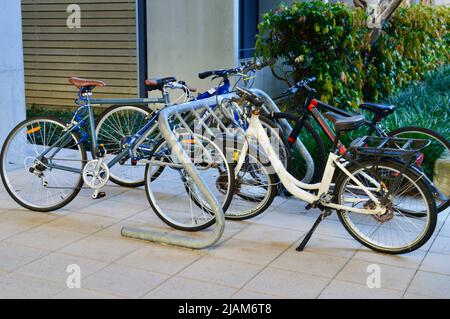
x: 439, y: 146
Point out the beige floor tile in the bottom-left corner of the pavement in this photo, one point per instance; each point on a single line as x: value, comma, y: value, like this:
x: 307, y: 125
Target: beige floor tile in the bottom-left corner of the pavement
x: 15, y: 286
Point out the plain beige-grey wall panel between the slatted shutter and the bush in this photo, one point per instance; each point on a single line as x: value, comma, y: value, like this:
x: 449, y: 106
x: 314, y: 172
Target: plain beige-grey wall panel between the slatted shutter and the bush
x: 186, y: 37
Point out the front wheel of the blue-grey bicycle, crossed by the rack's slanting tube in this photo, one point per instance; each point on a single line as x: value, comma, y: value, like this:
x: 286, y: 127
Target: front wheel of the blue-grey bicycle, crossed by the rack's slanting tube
x: 174, y: 196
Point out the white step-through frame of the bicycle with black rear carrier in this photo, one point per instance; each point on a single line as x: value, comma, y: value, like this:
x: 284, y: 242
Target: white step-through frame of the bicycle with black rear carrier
x: 300, y: 189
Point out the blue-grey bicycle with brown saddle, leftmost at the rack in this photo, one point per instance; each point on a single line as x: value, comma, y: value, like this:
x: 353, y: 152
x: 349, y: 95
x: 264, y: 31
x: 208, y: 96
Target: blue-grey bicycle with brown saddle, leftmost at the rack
x: 44, y: 162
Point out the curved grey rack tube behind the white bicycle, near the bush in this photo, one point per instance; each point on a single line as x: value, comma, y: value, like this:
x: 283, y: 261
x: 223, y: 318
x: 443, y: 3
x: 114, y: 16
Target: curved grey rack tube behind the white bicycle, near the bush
x: 269, y: 107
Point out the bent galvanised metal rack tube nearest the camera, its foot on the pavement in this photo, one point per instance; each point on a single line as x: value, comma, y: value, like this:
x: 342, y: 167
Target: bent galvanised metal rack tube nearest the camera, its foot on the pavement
x: 192, y: 108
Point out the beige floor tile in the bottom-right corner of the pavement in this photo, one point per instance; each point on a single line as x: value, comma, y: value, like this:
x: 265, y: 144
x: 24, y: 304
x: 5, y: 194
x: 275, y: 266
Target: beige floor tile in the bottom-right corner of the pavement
x: 431, y: 284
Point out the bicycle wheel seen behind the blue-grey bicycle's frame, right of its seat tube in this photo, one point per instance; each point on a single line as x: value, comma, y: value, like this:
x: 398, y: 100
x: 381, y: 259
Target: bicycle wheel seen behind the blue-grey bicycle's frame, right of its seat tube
x: 113, y: 128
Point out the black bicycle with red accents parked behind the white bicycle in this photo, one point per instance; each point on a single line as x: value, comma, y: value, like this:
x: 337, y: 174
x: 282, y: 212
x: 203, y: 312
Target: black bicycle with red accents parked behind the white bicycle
x: 314, y: 108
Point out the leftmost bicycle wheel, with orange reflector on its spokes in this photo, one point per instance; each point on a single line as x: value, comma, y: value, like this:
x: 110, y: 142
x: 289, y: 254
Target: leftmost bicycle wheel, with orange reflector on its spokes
x: 42, y: 183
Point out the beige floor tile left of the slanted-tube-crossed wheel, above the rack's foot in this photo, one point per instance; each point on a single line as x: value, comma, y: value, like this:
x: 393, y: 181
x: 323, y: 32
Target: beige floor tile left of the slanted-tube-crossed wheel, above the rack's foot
x: 115, y: 209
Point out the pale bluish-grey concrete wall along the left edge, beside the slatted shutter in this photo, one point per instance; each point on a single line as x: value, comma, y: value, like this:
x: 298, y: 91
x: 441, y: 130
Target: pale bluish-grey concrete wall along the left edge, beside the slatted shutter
x: 12, y: 102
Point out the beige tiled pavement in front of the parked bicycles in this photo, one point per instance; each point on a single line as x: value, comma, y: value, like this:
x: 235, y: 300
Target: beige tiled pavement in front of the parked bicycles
x: 255, y: 259
